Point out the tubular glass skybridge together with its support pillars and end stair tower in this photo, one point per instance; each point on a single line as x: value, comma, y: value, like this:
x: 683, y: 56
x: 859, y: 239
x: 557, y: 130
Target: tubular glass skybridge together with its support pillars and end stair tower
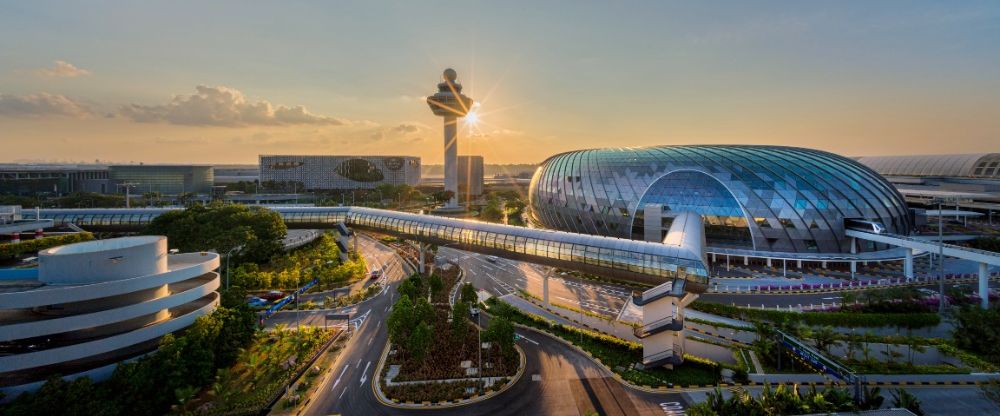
x: 674, y: 267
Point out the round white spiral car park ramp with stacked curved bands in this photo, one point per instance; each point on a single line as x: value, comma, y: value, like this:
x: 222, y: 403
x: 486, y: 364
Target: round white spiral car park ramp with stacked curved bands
x: 89, y: 306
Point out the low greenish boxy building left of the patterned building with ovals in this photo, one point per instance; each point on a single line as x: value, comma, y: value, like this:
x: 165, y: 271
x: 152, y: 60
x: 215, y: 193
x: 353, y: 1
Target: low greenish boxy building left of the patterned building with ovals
x: 165, y: 179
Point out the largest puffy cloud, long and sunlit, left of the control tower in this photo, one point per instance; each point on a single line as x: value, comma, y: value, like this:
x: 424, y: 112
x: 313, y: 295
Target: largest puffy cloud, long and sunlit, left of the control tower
x: 223, y: 106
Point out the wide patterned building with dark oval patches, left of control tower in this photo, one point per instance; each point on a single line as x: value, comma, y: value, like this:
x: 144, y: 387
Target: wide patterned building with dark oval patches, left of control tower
x: 340, y: 172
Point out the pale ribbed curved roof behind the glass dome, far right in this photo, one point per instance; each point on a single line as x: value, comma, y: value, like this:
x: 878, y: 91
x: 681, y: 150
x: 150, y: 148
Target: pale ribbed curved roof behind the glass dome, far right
x: 979, y: 165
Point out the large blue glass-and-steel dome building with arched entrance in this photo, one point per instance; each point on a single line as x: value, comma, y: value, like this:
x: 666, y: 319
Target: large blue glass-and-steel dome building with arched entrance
x: 761, y: 198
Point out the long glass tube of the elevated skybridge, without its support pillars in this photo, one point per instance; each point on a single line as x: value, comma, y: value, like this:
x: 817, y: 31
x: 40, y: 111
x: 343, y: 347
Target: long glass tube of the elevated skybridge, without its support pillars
x: 648, y: 262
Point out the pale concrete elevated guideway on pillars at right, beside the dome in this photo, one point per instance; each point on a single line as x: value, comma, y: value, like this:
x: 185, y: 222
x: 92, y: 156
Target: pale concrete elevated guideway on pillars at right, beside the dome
x: 982, y: 257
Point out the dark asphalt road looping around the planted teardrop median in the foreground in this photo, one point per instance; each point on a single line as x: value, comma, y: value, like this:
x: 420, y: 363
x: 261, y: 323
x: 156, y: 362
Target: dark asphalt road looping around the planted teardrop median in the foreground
x: 557, y: 381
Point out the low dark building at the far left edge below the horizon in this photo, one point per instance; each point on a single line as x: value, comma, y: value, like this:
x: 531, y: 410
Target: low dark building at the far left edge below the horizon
x: 31, y: 180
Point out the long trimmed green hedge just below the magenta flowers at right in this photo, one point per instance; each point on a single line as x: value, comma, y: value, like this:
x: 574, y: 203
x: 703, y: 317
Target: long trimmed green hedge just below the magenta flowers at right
x: 836, y: 319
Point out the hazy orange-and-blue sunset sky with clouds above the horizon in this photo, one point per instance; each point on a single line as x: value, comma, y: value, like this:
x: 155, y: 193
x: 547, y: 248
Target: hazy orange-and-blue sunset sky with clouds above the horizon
x: 226, y: 81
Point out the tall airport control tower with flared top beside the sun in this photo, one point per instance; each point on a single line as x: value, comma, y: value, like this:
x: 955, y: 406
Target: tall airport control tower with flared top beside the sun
x: 450, y: 104
